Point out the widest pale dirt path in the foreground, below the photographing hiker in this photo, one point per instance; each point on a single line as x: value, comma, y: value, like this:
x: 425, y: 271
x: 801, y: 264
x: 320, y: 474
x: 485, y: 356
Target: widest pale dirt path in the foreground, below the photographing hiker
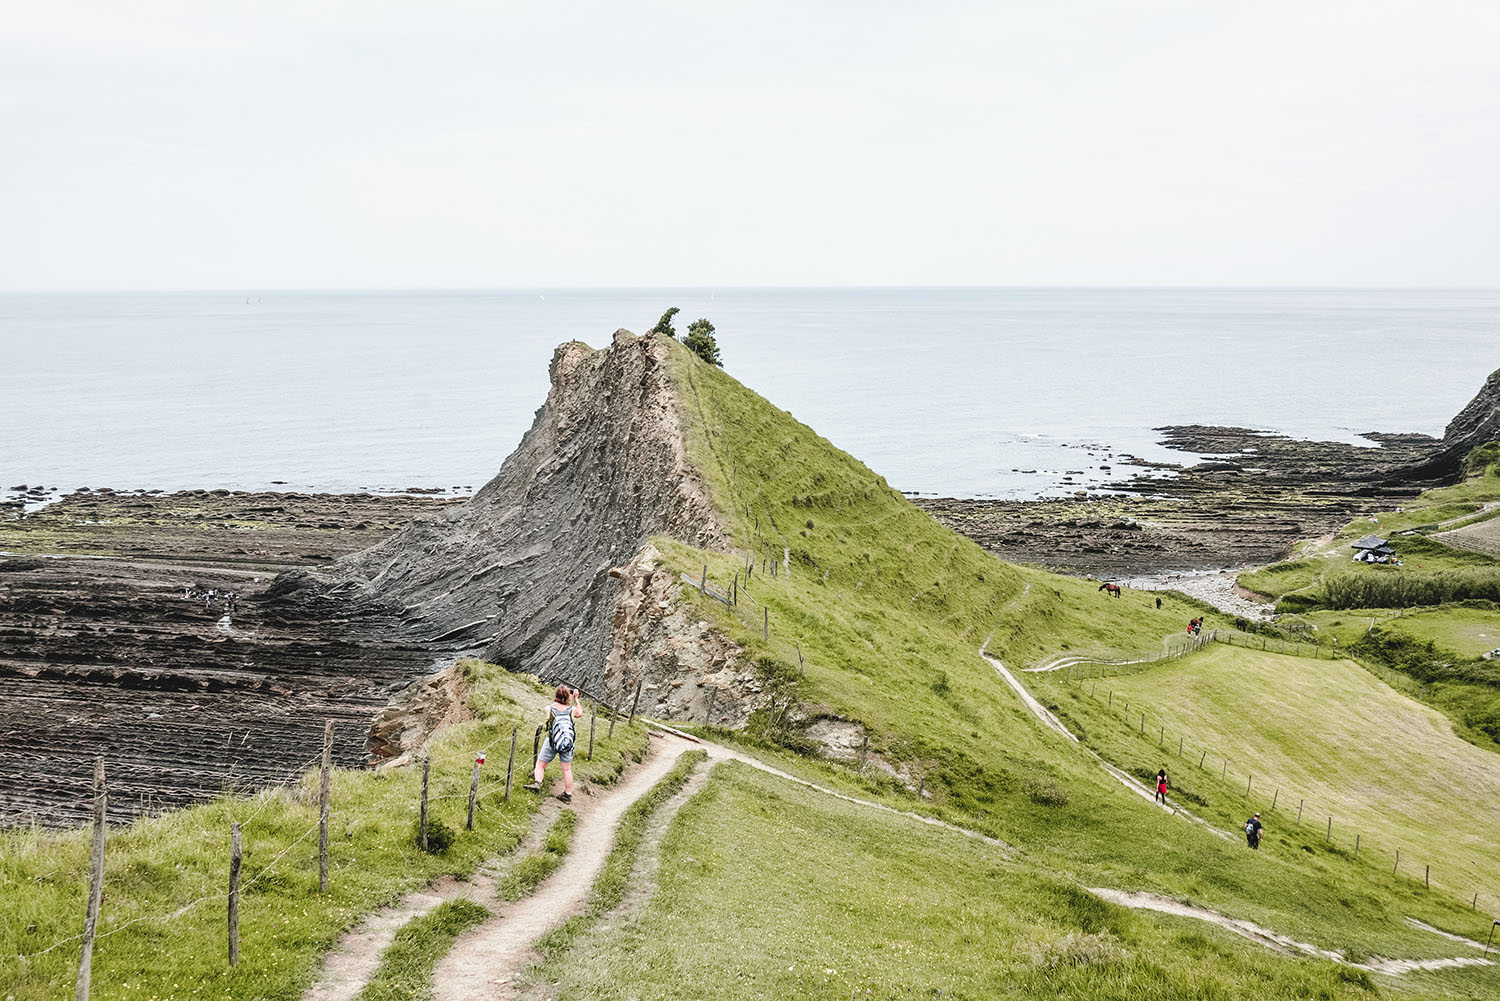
x: 485, y: 963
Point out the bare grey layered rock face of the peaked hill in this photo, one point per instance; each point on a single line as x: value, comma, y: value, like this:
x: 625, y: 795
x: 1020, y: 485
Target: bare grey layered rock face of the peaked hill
x: 523, y: 573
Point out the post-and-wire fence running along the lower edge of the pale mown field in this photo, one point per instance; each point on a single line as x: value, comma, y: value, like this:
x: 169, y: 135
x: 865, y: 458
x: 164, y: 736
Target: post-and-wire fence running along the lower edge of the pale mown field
x: 1136, y: 721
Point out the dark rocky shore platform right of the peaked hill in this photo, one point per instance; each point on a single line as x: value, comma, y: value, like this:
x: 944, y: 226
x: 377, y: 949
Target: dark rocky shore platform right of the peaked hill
x: 1250, y: 500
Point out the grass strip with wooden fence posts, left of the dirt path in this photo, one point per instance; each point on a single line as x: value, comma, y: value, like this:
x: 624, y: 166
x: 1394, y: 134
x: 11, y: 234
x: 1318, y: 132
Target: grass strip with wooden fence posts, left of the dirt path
x: 158, y: 865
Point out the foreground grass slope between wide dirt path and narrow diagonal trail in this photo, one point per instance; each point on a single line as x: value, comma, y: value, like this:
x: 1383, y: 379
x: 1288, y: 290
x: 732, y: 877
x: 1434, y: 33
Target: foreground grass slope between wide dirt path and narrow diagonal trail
x: 832, y: 901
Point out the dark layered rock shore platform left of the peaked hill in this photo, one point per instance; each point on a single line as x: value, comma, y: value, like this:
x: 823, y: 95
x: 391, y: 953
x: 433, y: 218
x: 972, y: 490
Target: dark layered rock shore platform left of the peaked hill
x: 119, y: 639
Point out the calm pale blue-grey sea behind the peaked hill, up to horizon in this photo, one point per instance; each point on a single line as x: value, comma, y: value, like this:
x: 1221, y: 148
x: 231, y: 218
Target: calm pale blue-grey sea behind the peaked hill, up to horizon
x: 941, y: 391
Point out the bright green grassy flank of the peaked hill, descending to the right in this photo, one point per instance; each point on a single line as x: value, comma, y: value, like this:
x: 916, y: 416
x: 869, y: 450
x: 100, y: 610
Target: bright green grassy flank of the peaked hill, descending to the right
x: 892, y: 636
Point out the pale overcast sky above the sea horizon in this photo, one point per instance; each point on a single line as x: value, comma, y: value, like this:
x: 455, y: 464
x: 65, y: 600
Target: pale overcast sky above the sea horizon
x: 437, y: 145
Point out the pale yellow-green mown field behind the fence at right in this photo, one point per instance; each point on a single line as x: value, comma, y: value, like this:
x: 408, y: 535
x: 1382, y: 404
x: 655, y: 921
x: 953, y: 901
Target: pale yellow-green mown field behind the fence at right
x: 1322, y: 732
